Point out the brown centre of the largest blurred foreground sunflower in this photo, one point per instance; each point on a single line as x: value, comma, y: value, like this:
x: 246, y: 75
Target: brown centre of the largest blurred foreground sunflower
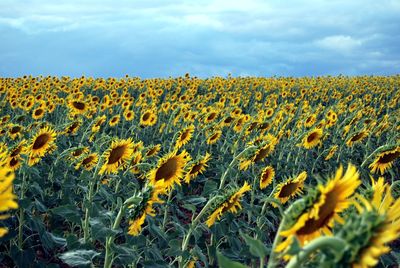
x: 325, y: 214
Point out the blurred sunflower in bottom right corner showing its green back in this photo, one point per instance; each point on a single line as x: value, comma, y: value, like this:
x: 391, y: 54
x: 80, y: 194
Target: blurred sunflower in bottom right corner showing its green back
x: 368, y: 232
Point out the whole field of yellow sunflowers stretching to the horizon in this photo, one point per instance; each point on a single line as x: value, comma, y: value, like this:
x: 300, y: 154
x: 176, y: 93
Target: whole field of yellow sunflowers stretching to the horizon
x: 189, y: 172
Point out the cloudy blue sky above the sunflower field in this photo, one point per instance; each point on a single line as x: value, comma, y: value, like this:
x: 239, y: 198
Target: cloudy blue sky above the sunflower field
x: 205, y: 38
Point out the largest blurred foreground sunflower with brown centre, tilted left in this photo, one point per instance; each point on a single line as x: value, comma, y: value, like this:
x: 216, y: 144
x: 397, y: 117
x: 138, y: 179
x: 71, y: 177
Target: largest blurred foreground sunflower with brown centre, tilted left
x: 318, y: 219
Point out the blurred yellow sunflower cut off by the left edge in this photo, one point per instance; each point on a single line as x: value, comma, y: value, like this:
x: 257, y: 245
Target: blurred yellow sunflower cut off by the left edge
x: 7, y: 198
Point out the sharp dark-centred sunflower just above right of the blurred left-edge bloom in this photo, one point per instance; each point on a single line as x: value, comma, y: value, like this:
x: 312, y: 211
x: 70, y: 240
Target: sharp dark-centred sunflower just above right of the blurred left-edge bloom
x: 42, y: 143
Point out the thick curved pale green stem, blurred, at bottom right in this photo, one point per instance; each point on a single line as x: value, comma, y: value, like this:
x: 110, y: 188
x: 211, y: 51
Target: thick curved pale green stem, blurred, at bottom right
x: 333, y: 243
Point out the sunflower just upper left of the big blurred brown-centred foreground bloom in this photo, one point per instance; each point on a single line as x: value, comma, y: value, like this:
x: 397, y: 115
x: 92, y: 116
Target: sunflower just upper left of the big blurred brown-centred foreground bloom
x: 290, y: 188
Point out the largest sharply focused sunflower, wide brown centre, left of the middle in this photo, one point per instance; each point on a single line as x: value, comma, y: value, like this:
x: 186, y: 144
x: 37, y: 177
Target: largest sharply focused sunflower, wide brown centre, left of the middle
x: 170, y: 168
